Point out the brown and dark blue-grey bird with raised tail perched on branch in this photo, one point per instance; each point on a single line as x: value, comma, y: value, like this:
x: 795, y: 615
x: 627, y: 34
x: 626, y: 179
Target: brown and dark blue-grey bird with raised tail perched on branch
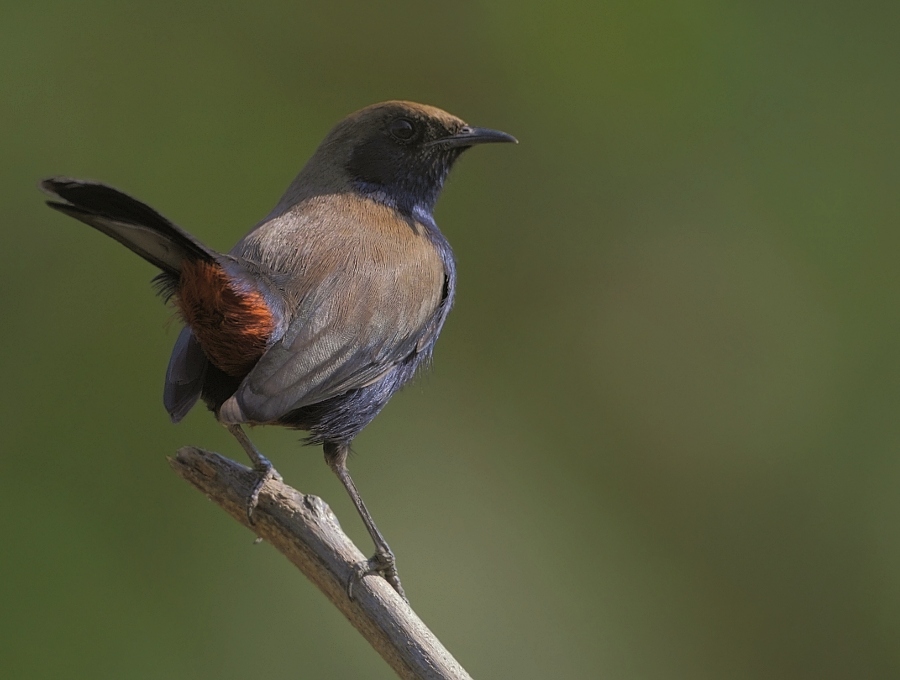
x: 327, y: 307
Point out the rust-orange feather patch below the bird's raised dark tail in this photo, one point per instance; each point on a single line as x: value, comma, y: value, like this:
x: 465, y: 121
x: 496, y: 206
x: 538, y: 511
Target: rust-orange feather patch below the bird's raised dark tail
x: 232, y: 326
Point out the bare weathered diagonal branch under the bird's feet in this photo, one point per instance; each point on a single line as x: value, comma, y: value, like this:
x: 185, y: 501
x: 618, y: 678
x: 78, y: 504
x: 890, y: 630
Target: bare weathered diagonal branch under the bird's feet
x: 306, y: 531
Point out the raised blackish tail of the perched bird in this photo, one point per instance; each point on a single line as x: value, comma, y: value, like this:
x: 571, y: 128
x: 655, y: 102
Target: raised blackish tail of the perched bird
x: 130, y: 222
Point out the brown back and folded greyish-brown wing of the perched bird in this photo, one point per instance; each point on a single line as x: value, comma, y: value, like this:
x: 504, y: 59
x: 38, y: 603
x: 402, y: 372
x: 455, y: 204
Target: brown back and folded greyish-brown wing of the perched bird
x: 360, y: 283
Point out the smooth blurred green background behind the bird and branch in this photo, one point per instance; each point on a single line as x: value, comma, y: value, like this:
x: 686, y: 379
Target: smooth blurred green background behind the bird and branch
x: 661, y: 436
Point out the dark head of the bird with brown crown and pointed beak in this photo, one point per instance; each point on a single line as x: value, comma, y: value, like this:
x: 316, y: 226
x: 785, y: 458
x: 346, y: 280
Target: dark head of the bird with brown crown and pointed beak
x: 401, y: 151
